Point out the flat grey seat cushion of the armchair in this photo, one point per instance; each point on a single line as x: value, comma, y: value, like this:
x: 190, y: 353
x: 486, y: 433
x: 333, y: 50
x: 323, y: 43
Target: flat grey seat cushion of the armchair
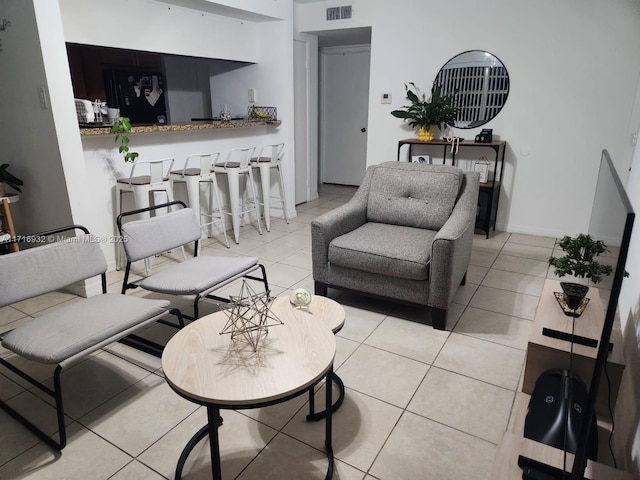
x: 355, y: 250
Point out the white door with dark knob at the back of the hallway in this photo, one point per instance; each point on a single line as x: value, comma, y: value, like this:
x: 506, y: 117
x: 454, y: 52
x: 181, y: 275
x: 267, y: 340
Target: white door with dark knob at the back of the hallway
x: 344, y: 106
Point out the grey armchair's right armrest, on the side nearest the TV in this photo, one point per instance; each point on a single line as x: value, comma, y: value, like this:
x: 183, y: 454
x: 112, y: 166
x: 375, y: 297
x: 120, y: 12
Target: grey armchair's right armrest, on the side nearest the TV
x: 451, y: 250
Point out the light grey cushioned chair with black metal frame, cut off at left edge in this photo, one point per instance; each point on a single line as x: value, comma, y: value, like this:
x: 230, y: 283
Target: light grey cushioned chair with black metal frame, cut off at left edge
x: 69, y: 334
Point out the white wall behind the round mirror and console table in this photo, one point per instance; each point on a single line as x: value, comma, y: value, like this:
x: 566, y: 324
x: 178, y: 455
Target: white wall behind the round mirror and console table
x: 573, y: 73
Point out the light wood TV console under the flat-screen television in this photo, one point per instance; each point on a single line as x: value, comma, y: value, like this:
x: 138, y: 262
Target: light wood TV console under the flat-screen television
x: 548, y: 352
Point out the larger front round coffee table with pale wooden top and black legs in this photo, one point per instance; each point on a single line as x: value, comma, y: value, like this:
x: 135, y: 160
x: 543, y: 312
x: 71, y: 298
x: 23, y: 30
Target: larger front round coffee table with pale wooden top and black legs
x: 211, y: 369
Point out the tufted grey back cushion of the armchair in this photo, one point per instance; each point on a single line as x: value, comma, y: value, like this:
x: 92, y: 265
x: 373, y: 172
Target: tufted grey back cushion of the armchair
x: 401, y: 195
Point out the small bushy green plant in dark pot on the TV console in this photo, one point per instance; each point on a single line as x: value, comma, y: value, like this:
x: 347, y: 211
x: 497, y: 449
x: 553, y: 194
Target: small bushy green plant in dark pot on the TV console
x: 580, y: 262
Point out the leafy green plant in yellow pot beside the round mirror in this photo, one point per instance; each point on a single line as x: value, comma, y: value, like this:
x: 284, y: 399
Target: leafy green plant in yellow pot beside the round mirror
x: 427, y: 113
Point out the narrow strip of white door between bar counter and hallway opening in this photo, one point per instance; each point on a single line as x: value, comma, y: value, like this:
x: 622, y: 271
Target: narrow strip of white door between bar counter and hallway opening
x: 300, y: 85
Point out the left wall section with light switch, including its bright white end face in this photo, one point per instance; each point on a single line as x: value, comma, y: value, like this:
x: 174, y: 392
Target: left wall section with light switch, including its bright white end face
x: 42, y: 140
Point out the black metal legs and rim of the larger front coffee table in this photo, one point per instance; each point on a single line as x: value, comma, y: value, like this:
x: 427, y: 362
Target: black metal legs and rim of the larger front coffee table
x: 214, y: 421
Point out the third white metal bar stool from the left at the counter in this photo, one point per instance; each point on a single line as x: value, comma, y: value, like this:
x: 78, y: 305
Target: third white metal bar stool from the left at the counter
x: 236, y: 164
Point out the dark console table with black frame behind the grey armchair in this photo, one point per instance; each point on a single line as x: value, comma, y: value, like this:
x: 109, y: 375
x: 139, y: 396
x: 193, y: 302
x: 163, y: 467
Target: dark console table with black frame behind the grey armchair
x: 489, y: 190
